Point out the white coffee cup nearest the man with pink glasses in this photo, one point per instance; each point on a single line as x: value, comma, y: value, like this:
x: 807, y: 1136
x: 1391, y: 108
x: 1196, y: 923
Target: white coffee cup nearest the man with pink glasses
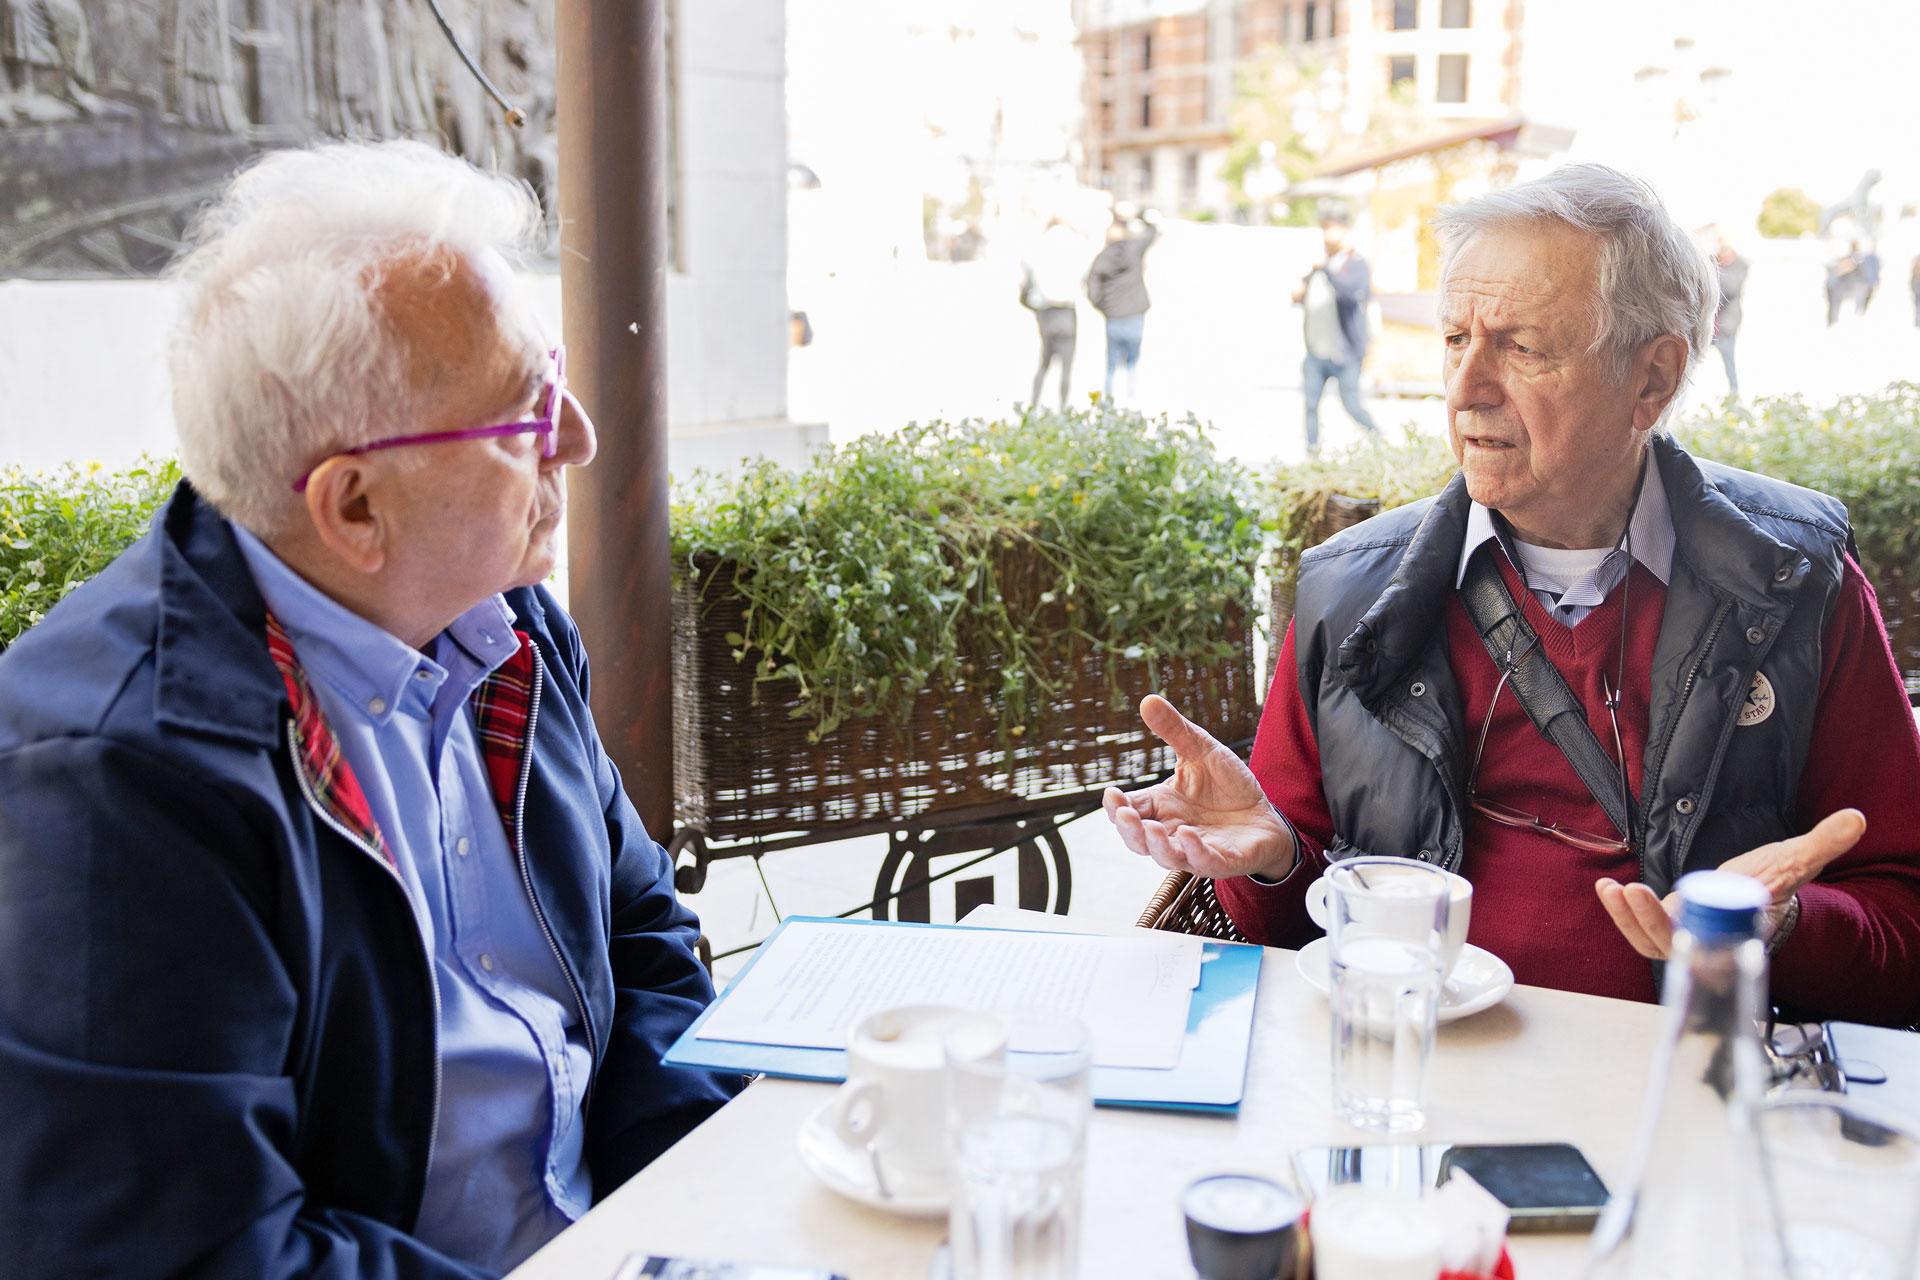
x: 896, y: 1095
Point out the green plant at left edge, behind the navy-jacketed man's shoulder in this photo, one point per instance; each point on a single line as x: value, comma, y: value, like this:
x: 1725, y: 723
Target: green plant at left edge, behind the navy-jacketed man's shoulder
x: 64, y: 527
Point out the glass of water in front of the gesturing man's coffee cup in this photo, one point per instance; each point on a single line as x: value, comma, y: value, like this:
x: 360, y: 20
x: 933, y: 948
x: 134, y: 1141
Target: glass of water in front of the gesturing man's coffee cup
x: 1387, y: 932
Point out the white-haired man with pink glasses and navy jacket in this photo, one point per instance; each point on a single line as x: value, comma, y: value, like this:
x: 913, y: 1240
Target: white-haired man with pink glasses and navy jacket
x: 329, y: 939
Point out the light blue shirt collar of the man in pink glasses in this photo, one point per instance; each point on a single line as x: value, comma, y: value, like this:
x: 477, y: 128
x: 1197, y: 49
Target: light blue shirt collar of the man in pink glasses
x: 364, y: 663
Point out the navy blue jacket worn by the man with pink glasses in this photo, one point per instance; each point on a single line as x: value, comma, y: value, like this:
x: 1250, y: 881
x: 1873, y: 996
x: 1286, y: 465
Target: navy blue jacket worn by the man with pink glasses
x: 216, y: 1012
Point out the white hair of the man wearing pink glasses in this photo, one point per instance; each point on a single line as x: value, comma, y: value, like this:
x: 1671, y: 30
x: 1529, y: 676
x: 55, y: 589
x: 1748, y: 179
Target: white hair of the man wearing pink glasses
x: 283, y: 352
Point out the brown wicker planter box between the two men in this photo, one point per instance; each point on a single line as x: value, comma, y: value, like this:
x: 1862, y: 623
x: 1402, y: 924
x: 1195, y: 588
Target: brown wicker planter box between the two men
x: 744, y: 769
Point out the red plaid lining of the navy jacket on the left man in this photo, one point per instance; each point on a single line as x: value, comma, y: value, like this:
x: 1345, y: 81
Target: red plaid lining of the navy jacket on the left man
x: 502, y: 711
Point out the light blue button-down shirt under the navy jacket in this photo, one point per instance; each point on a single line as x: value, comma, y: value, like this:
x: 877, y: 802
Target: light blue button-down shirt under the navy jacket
x: 508, y: 1170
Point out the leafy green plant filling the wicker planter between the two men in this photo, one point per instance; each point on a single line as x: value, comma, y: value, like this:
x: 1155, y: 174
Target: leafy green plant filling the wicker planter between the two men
x: 963, y: 552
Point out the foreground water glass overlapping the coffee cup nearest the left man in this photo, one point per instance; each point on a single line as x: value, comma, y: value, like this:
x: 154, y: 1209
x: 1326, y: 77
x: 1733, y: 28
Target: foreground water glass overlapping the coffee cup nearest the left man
x: 1019, y: 1137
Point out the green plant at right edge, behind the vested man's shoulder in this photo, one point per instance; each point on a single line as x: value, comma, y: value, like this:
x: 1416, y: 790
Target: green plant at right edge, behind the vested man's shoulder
x: 1863, y: 450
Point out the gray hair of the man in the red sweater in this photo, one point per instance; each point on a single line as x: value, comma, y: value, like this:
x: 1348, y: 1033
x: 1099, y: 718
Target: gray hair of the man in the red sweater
x: 1652, y: 277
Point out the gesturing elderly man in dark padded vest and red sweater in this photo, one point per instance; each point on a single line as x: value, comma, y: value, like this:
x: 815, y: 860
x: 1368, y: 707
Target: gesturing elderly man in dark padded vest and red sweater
x: 1731, y: 694
